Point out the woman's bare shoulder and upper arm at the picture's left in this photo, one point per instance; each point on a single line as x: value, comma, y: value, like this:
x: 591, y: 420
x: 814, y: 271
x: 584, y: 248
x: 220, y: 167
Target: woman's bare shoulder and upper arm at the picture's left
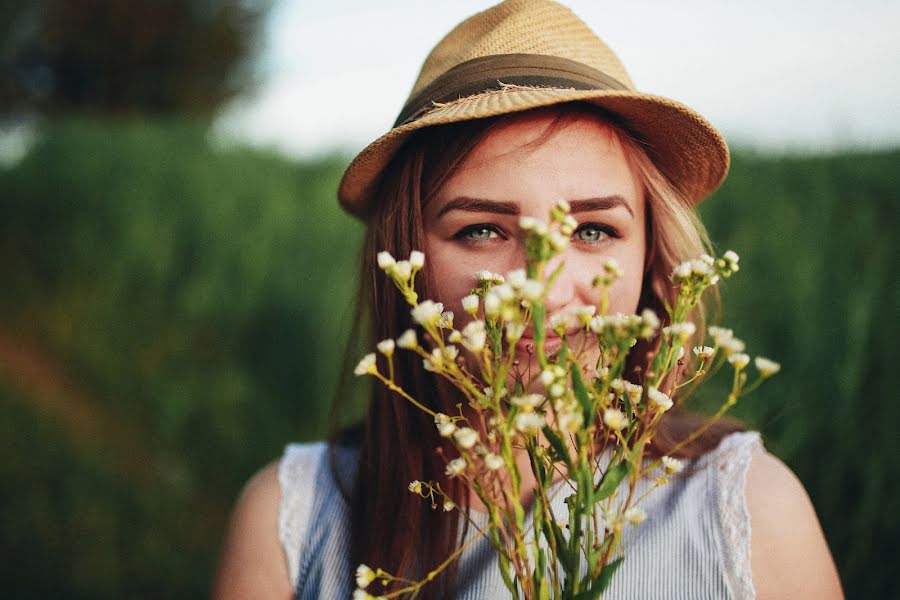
x: 252, y: 564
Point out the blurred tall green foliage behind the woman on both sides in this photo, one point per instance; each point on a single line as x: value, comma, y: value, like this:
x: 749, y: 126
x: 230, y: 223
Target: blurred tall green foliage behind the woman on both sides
x: 172, y: 315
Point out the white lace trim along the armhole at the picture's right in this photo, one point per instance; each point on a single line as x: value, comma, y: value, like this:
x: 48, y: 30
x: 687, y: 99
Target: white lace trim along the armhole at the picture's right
x: 732, y: 461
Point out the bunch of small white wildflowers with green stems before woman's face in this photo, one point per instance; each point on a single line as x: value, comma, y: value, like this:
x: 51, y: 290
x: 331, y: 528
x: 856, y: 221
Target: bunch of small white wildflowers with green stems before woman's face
x: 577, y: 417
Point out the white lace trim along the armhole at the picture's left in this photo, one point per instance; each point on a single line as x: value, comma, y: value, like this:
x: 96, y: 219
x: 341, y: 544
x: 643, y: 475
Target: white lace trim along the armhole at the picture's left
x: 297, y: 468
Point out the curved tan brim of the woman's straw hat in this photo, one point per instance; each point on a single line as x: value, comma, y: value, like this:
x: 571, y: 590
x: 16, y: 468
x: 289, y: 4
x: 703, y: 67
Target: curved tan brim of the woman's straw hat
x: 681, y: 143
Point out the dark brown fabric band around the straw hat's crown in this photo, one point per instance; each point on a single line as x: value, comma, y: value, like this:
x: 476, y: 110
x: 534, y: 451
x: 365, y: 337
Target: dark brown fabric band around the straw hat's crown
x: 490, y: 73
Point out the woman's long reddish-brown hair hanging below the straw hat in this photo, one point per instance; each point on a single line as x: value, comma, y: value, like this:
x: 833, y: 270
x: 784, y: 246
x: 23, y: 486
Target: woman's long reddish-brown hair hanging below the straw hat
x: 392, y: 528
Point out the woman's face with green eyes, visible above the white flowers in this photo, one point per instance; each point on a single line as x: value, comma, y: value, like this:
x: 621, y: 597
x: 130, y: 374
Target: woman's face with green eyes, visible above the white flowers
x: 472, y: 222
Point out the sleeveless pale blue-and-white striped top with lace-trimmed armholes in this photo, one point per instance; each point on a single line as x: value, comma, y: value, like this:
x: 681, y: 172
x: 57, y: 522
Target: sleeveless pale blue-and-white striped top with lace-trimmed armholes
x: 694, y: 545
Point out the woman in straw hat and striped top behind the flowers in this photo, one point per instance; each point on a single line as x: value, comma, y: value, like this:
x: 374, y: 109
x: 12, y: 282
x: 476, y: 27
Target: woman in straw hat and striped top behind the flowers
x: 518, y: 107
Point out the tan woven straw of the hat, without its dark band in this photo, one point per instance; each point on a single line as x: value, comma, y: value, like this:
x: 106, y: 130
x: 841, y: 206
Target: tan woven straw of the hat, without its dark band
x: 685, y: 147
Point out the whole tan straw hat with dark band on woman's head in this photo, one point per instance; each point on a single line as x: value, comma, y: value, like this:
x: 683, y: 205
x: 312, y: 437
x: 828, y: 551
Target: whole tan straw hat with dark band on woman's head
x: 523, y: 54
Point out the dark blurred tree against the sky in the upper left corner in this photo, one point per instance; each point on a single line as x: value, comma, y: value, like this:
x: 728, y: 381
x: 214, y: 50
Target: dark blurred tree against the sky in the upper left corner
x: 121, y: 57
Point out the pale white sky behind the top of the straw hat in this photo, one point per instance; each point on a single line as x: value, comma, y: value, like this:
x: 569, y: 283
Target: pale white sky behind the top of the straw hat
x: 788, y: 74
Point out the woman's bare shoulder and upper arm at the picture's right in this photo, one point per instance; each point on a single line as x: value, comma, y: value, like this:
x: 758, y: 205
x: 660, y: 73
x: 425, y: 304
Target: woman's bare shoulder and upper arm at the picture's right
x: 789, y: 555
